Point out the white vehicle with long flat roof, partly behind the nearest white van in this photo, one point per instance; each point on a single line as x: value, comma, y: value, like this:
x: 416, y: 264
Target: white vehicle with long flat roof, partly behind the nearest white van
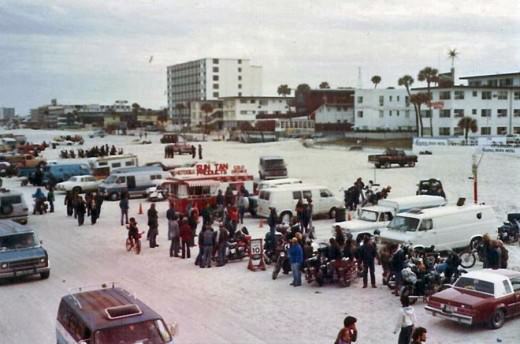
x: 380, y: 215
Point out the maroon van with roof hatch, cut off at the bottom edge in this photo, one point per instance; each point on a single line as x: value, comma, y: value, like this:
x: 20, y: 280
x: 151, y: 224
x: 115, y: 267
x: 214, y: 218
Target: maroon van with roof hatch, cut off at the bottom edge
x: 109, y: 315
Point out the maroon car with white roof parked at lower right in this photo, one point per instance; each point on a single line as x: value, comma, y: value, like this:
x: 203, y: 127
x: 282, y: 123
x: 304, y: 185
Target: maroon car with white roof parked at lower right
x: 483, y: 296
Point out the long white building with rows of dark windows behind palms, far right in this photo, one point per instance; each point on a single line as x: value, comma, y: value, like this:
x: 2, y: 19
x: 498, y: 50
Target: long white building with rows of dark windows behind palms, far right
x: 493, y: 100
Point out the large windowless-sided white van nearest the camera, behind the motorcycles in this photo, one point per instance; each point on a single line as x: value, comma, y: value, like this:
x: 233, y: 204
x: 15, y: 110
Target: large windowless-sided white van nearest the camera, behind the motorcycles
x: 447, y: 227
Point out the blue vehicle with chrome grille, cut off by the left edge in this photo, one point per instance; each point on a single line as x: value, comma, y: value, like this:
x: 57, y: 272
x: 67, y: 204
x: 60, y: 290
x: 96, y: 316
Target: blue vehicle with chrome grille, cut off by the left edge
x: 21, y: 253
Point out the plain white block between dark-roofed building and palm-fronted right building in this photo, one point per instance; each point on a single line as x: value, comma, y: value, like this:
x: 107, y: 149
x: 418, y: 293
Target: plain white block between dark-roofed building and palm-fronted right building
x: 383, y: 109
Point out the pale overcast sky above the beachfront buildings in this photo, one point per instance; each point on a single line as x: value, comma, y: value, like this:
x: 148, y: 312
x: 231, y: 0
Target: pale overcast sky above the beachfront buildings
x: 98, y: 51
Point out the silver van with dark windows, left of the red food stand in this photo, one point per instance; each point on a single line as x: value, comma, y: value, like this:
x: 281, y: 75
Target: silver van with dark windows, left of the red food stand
x: 133, y: 181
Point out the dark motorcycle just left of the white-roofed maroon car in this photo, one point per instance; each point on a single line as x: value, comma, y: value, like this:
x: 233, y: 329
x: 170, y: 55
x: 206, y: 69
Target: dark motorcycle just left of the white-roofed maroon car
x: 418, y: 283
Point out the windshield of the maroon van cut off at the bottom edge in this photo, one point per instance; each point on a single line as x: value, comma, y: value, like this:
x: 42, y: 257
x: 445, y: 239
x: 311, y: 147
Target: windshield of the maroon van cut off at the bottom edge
x: 146, y: 332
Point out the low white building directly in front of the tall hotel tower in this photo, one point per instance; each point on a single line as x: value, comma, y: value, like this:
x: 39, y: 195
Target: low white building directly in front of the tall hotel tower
x: 245, y: 109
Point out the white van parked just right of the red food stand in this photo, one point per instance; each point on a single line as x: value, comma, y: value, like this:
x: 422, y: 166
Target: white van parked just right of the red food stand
x: 284, y: 199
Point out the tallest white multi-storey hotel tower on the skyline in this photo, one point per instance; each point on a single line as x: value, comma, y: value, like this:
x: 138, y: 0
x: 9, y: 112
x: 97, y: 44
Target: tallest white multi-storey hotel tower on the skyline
x: 209, y: 79
